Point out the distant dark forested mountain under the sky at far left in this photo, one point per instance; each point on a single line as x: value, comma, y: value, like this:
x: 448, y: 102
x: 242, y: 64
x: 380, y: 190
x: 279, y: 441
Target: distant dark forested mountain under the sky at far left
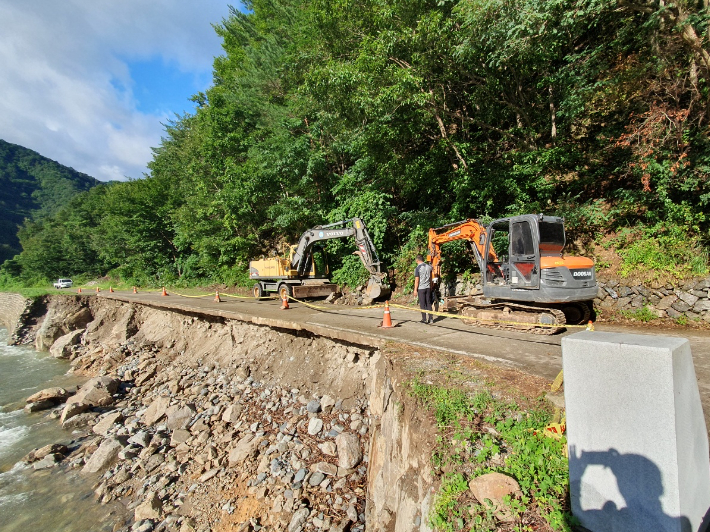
x: 32, y: 187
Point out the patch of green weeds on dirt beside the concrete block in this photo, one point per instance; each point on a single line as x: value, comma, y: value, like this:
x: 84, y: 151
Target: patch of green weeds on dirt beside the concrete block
x: 479, y: 434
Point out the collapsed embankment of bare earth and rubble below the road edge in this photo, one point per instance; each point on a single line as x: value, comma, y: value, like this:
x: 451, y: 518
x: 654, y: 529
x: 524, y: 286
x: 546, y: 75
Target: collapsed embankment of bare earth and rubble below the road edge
x: 202, y: 423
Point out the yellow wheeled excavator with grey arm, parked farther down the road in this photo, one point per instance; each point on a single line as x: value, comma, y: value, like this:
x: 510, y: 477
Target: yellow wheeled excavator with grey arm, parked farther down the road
x: 305, y: 272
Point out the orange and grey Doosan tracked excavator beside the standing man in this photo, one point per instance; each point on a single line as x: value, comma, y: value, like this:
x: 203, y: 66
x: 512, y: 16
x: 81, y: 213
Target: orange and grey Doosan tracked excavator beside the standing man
x: 527, y: 282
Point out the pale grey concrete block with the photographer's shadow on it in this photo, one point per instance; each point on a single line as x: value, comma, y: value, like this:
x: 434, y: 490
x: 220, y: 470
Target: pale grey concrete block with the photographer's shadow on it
x: 639, y: 458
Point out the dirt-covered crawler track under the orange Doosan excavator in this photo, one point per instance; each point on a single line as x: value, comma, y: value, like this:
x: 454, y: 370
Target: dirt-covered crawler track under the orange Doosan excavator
x: 515, y: 317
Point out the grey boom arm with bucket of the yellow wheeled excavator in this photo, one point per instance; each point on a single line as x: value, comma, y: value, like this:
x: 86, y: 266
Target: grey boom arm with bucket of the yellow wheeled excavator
x: 354, y: 227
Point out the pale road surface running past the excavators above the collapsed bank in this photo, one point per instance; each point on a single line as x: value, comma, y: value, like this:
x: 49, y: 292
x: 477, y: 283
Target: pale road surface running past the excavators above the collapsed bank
x: 538, y: 355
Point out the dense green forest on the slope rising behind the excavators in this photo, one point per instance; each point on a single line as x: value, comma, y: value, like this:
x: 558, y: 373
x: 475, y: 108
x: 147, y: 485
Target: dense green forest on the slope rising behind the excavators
x: 410, y: 114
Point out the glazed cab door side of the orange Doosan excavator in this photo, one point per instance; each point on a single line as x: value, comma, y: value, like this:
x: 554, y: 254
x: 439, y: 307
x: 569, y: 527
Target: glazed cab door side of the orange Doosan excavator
x: 512, y: 256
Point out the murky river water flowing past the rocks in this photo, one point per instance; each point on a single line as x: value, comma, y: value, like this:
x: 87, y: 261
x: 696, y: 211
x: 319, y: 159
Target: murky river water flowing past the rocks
x: 53, y: 500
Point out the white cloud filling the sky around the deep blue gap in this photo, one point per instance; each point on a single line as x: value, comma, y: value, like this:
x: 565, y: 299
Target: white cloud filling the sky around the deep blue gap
x: 65, y: 85
